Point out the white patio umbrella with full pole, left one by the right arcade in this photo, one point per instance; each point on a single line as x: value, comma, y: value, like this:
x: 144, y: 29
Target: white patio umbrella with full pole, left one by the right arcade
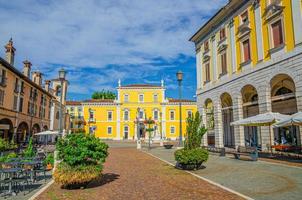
x: 265, y: 119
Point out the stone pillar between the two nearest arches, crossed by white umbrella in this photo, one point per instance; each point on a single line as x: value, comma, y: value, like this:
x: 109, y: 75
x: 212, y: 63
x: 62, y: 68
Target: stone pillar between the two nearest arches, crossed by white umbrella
x: 265, y: 105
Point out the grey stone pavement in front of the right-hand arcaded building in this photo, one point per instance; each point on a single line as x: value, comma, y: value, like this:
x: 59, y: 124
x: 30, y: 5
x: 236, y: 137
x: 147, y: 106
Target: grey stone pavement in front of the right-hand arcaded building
x: 258, y: 180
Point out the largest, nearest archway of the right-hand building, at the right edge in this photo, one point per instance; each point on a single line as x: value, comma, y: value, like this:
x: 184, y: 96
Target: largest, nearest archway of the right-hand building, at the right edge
x: 284, y: 101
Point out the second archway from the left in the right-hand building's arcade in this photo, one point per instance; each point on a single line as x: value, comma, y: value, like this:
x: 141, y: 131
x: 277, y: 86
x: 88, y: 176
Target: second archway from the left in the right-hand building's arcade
x: 227, y: 118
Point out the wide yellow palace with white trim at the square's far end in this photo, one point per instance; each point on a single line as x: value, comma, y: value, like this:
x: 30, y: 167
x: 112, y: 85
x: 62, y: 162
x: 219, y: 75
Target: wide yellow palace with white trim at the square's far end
x: 124, y: 117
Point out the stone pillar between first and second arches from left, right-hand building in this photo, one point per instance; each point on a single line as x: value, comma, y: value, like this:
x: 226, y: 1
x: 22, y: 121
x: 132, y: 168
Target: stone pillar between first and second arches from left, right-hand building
x: 218, y: 124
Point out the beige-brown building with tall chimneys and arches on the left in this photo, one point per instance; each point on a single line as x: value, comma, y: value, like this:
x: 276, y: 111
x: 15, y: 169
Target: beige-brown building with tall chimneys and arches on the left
x: 26, y: 106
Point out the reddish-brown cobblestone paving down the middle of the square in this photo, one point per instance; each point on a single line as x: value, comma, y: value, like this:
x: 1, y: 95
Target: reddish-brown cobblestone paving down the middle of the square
x: 132, y: 174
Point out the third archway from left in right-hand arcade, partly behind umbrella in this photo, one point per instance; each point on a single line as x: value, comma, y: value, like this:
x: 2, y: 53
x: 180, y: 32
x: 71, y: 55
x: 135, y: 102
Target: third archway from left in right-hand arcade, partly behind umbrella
x: 252, y: 134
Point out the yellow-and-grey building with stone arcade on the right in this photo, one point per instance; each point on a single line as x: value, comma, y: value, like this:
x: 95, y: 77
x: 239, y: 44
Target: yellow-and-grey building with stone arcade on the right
x: 249, y: 61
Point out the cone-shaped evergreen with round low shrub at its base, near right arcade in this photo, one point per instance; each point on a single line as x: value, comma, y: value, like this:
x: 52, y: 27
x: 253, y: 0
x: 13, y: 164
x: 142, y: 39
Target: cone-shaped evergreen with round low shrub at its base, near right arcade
x: 192, y: 155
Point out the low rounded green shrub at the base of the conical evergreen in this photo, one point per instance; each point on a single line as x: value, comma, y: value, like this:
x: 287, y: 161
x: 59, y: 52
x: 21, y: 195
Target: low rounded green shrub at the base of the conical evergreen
x: 191, y: 156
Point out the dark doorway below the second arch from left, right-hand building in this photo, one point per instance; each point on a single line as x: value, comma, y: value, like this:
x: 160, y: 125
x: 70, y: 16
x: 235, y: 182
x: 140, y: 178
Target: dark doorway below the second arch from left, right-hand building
x: 228, y: 130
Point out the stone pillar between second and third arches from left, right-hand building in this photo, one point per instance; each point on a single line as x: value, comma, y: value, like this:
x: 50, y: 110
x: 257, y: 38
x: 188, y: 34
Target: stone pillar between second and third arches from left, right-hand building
x: 237, y: 115
